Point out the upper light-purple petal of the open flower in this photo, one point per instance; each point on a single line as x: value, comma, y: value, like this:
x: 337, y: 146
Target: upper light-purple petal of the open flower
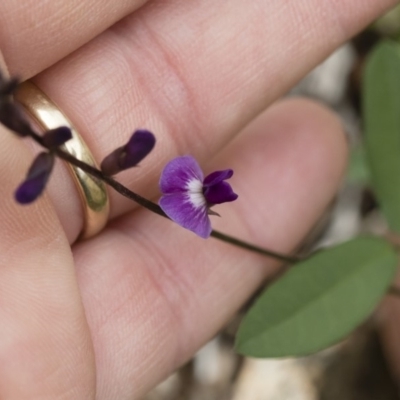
x: 178, y: 173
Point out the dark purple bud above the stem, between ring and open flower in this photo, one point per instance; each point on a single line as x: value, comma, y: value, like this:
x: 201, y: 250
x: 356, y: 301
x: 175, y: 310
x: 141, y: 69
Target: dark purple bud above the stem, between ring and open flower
x: 140, y: 144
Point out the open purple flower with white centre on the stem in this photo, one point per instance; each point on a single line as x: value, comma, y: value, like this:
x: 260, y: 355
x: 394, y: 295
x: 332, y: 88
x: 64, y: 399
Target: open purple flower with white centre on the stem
x: 187, y: 196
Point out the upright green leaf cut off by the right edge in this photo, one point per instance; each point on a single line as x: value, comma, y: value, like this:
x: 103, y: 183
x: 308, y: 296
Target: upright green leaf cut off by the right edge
x: 381, y: 99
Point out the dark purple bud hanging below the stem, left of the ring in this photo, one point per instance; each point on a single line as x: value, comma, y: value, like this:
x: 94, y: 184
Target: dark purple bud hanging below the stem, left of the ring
x: 36, y: 179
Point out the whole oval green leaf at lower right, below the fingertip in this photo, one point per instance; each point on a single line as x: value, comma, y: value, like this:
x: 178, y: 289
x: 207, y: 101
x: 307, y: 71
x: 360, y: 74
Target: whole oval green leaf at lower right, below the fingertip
x: 319, y: 301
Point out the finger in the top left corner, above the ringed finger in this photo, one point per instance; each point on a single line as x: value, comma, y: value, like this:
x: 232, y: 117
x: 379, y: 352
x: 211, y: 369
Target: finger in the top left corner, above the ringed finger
x: 36, y: 34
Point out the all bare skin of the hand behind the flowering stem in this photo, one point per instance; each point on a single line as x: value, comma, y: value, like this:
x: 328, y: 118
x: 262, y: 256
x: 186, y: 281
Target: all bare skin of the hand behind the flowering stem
x: 110, y: 317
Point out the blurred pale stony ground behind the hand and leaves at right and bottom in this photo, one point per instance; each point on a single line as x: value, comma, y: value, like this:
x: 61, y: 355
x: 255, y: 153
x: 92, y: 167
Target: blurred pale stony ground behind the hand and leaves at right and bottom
x: 355, y: 369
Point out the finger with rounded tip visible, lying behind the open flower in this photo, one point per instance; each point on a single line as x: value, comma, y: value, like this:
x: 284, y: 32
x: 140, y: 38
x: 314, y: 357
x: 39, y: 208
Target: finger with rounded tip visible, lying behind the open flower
x: 154, y: 293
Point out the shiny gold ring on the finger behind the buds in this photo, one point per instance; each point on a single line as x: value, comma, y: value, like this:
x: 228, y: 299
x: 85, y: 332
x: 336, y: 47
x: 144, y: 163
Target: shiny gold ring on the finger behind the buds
x: 92, y: 191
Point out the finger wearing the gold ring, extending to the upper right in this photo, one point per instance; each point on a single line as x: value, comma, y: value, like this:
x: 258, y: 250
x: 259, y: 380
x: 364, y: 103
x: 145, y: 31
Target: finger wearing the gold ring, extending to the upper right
x: 194, y: 73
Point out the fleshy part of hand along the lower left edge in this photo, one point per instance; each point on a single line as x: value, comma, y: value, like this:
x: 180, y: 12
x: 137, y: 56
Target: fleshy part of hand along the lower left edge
x: 45, y: 345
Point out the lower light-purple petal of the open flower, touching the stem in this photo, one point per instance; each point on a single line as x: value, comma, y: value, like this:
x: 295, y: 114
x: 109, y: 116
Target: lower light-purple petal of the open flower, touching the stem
x: 180, y: 209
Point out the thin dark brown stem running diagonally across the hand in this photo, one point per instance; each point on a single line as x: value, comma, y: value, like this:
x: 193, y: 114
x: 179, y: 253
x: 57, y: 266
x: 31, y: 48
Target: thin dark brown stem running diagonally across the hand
x: 124, y: 191
